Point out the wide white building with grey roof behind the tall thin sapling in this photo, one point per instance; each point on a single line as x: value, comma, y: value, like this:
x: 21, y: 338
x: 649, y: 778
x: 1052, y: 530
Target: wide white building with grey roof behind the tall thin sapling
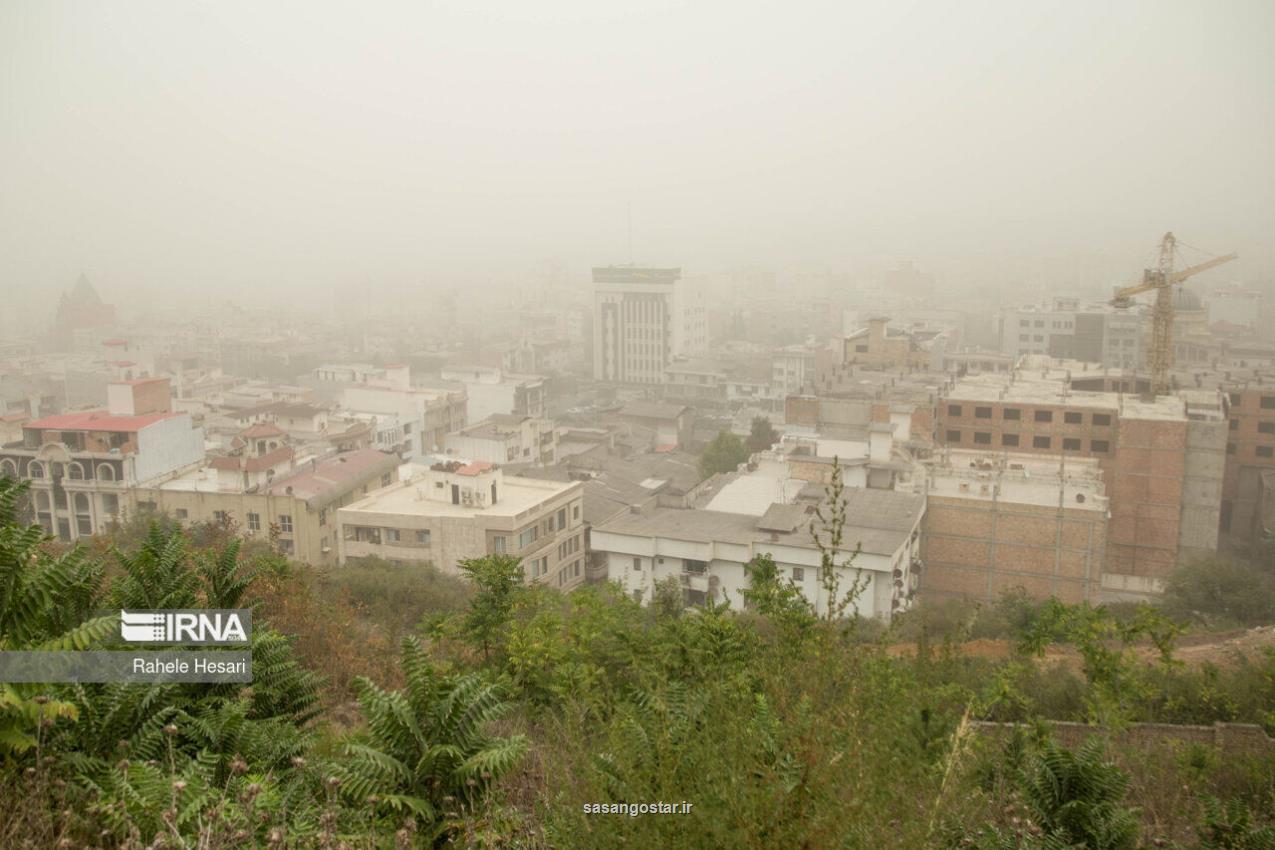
x: 707, y: 552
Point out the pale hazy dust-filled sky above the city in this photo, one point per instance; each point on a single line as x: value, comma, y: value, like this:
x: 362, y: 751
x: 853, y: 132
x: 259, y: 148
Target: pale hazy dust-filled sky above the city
x: 281, y: 145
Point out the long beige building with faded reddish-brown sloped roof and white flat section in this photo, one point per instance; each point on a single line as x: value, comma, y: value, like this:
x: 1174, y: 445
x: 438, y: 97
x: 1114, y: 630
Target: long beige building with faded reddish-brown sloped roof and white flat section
x: 296, y: 509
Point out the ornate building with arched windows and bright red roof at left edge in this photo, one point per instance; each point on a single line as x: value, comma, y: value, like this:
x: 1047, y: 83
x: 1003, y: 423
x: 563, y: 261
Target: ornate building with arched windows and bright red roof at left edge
x: 84, y: 467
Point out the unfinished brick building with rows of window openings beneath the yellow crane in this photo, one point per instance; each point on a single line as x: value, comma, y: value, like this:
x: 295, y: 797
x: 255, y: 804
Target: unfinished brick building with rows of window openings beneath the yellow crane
x: 1162, y: 459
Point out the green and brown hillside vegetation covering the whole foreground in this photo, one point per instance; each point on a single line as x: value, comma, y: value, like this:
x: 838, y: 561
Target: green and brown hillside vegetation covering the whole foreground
x: 401, y: 708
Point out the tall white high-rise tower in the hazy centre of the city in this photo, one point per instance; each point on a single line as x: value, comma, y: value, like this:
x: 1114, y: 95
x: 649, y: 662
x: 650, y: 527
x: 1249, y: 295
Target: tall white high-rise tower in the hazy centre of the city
x: 642, y: 319
